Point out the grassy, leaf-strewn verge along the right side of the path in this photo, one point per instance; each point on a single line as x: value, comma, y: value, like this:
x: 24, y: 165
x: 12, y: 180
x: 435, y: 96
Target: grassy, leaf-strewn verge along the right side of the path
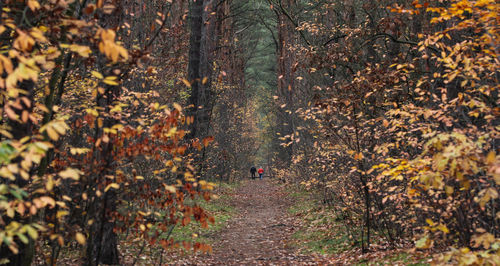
x: 321, y: 231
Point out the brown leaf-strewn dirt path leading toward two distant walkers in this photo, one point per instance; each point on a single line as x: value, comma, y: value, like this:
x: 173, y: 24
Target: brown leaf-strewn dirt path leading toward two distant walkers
x: 259, y: 234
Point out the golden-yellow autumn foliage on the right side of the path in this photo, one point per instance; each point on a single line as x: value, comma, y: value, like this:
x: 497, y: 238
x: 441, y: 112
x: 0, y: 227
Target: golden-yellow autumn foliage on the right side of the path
x: 402, y: 137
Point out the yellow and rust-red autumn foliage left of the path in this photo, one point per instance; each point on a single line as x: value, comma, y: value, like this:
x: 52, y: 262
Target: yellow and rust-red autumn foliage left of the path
x: 90, y: 154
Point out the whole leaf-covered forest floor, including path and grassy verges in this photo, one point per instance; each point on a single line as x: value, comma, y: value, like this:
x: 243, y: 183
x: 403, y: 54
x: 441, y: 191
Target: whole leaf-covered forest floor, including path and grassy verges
x: 262, y: 222
